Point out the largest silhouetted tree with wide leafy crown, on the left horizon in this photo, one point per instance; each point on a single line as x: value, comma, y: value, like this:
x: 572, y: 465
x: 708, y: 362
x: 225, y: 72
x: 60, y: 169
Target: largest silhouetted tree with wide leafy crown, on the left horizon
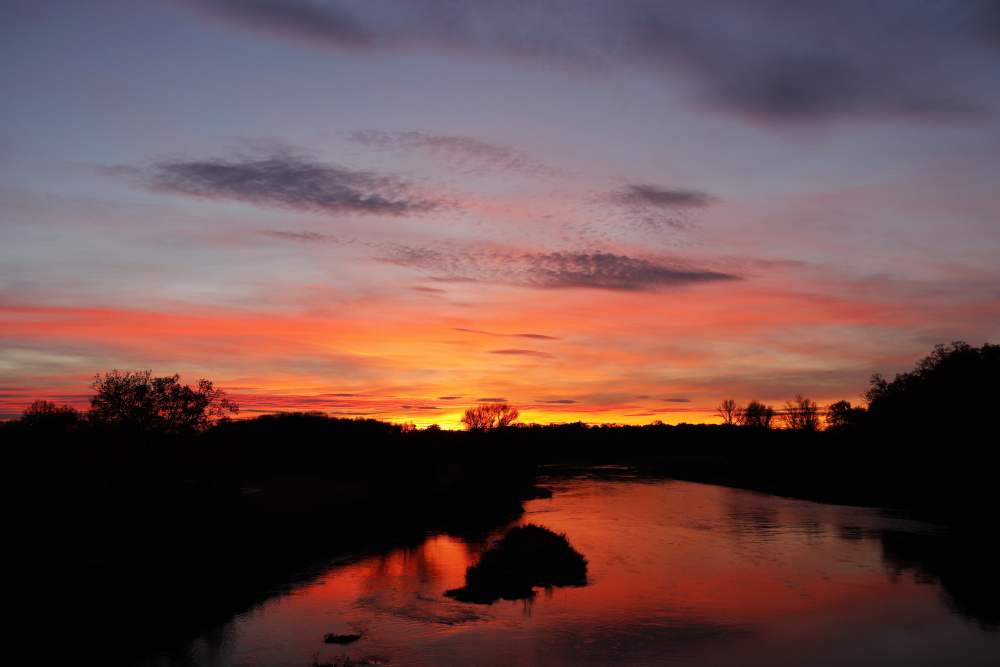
x: 137, y: 401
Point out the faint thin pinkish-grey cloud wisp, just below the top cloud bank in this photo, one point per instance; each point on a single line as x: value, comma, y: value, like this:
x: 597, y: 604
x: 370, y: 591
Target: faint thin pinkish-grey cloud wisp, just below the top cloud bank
x: 472, y: 154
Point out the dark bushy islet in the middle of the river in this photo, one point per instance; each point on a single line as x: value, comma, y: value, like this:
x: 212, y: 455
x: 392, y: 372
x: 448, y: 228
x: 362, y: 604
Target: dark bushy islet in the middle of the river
x: 527, y: 556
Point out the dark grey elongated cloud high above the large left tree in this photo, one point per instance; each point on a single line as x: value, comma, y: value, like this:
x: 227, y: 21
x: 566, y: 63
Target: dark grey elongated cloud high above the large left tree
x: 283, y: 179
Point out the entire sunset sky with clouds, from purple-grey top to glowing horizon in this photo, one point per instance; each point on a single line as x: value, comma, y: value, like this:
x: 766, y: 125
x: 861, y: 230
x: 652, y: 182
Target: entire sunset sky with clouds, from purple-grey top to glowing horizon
x: 609, y: 212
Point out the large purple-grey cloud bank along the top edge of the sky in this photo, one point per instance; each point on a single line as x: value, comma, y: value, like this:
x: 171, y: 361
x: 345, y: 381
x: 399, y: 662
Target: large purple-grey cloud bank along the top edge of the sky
x: 775, y: 60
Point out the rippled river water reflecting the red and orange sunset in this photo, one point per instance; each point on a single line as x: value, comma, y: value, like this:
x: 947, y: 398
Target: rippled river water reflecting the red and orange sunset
x: 679, y: 574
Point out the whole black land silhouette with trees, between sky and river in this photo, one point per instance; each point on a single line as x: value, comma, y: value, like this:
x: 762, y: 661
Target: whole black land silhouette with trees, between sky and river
x: 157, y: 515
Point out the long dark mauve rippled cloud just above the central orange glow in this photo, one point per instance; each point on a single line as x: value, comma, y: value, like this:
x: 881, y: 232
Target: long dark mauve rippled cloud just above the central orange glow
x: 553, y: 270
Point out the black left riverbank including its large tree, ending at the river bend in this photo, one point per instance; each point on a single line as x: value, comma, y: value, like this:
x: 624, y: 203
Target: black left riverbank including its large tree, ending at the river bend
x: 139, y: 529
